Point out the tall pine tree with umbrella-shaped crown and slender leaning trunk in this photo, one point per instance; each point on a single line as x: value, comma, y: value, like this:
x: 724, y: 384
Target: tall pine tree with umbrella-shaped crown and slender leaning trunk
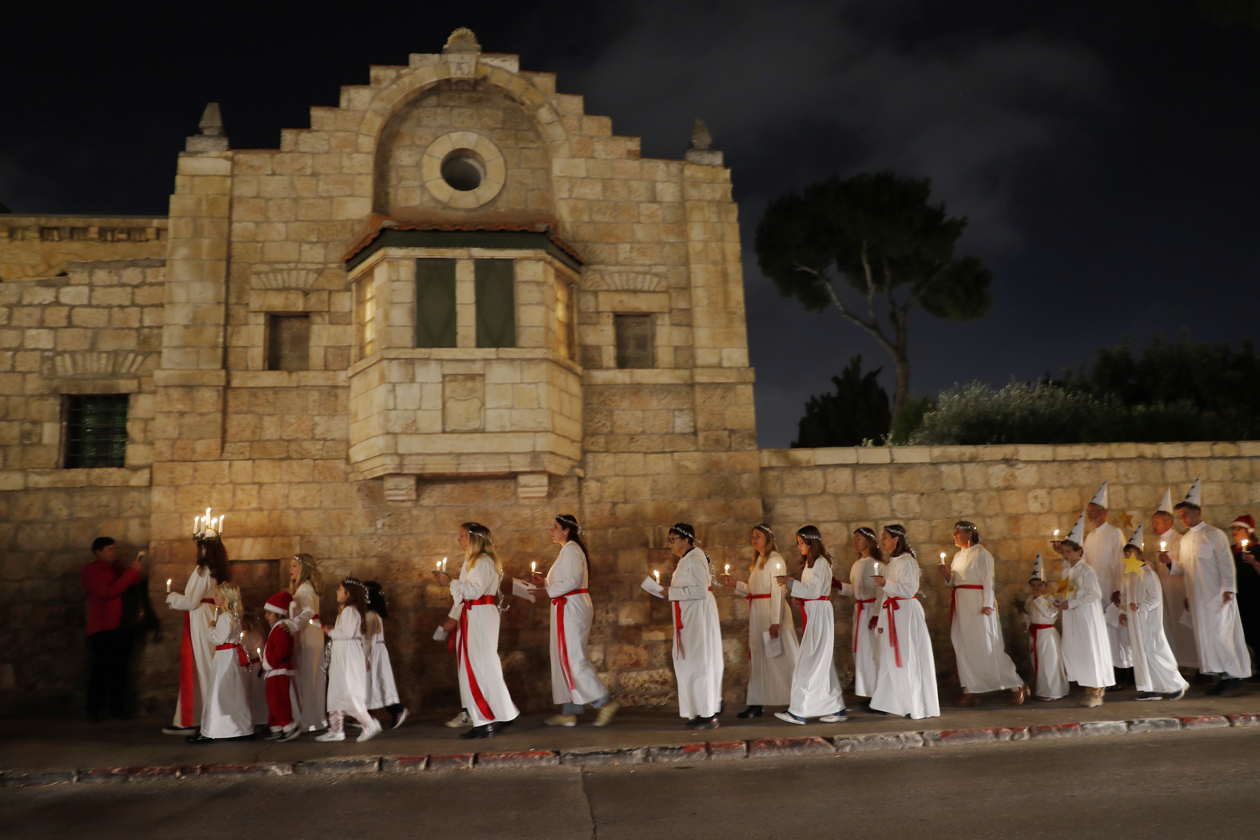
x: 881, y: 236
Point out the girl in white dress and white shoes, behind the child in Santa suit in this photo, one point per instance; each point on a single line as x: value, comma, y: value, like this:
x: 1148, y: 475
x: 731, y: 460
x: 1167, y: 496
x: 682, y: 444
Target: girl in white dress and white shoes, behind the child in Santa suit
x: 348, y: 664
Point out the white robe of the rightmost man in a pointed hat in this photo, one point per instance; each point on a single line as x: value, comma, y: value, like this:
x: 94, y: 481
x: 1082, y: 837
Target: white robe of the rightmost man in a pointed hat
x: 1208, y: 565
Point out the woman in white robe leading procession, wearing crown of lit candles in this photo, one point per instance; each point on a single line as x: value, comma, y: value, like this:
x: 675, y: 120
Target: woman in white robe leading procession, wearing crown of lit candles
x: 197, y: 650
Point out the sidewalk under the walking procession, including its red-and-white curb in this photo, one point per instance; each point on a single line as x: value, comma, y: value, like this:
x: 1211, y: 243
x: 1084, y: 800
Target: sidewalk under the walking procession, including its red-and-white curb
x: 49, y: 751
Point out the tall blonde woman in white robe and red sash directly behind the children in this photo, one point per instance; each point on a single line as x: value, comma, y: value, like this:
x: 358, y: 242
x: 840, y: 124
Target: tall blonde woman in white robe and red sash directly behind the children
x: 474, y: 624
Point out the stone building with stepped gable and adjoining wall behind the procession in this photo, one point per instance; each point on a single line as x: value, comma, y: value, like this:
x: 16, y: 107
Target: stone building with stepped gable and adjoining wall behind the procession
x: 454, y: 297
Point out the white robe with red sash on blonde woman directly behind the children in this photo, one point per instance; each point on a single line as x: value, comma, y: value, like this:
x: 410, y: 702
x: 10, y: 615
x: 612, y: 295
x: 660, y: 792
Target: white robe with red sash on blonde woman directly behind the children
x: 481, y: 649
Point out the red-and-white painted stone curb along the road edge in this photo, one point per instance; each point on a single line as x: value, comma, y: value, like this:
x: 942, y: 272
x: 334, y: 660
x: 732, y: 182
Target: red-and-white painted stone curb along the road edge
x: 597, y: 758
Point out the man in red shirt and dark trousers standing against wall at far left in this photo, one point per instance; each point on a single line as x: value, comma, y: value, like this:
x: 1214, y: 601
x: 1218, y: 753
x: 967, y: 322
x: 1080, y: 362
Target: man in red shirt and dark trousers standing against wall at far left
x: 105, y: 582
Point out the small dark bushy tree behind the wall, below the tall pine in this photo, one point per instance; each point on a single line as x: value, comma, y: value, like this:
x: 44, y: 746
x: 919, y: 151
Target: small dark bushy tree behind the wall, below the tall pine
x: 857, y: 412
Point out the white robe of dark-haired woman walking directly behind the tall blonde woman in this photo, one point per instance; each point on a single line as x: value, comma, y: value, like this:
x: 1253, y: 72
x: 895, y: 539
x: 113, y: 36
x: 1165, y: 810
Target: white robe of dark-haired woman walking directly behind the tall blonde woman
x: 569, y: 574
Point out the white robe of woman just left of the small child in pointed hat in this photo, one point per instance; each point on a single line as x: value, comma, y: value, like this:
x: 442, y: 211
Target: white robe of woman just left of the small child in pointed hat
x: 980, y: 649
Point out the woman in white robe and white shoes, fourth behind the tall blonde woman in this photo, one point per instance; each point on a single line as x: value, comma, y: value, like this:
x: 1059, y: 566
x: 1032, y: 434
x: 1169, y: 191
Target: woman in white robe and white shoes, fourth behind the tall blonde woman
x: 816, y: 688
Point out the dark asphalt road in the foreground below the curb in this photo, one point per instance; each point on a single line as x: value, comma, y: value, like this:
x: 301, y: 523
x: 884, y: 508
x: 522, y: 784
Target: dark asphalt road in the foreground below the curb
x: 1161, y: 785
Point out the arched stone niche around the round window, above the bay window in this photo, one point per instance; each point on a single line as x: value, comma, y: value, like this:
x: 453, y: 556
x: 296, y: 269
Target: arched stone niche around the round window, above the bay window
x: 488, y: 123
